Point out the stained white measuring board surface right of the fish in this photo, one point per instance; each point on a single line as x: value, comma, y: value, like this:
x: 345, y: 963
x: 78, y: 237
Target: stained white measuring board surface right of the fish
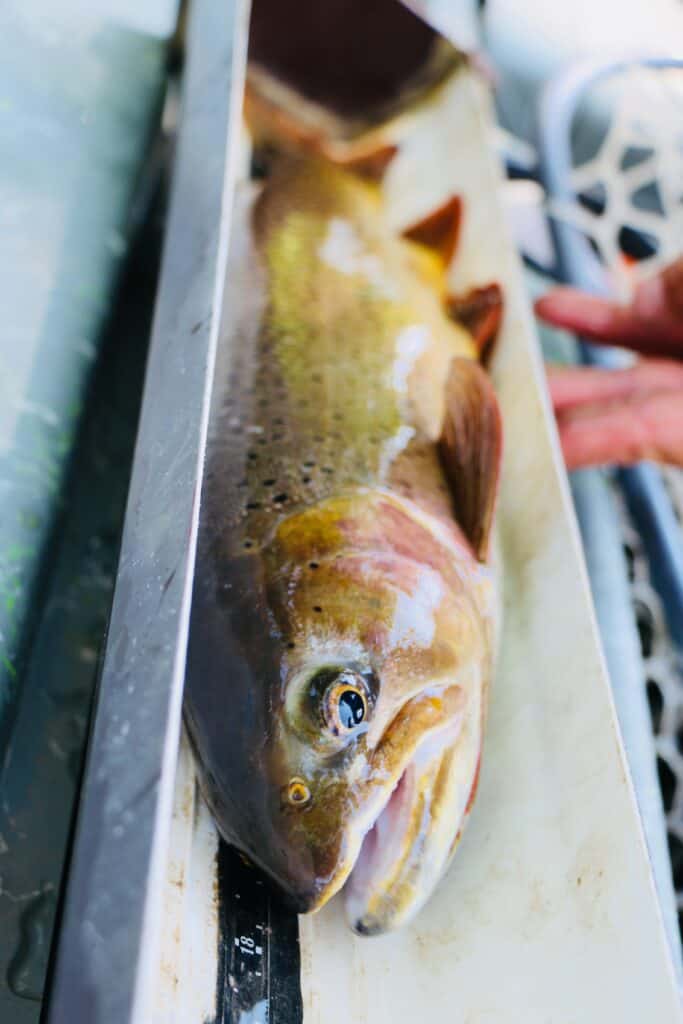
x: 548, y: 914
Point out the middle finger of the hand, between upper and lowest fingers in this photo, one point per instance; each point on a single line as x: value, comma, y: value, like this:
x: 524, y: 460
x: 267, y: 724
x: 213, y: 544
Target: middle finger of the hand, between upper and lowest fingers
x: 576, y: 386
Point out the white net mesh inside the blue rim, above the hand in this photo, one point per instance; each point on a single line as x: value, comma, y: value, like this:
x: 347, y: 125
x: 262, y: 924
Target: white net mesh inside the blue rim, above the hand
x: 628, y: 175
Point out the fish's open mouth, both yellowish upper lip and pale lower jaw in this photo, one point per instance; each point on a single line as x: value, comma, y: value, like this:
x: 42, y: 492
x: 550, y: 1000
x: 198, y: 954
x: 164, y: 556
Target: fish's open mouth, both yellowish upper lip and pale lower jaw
x: 397, y: 849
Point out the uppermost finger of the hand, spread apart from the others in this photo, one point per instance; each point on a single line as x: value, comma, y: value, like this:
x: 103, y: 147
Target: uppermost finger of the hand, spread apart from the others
x: 610, y: 323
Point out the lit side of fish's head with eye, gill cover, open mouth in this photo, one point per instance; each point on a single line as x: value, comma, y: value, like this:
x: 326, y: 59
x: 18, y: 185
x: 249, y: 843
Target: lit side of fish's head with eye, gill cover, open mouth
x: 376, y: 730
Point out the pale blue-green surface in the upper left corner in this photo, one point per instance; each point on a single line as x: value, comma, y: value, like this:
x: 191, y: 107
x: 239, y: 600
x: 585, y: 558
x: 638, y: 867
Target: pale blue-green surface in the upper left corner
x: 78, y: 98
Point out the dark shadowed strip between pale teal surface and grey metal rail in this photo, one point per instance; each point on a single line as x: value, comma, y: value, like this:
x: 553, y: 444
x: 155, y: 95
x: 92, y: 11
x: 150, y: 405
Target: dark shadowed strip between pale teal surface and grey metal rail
x: 40, y: 776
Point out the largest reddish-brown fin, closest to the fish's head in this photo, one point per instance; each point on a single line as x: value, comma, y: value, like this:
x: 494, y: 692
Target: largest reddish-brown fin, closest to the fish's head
x: 471, y: 449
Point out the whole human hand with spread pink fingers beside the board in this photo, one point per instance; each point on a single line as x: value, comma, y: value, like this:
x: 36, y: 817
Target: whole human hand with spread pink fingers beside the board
x: 622, y: 416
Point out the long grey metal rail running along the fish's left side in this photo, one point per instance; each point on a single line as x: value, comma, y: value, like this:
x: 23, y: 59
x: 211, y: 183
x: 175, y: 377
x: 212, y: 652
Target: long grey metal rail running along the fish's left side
x: 106, y: 952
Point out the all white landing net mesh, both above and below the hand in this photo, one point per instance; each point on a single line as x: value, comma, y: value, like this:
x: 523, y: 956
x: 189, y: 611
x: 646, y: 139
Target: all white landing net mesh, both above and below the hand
x: 627, y: 151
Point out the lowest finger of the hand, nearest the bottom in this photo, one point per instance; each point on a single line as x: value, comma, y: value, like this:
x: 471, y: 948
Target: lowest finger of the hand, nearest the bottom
x: 642, y: 428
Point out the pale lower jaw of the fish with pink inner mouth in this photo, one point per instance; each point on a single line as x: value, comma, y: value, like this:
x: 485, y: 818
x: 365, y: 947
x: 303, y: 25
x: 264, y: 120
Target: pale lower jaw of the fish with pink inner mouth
x: 409, y: 846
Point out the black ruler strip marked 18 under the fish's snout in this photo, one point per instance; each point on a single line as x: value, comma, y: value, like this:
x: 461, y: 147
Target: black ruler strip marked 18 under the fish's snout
x: 260, y: 965
